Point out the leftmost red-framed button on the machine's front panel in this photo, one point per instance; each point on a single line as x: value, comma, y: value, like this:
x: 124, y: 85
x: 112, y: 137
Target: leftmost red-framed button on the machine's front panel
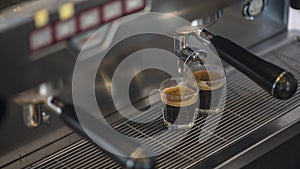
x: 40, y: 38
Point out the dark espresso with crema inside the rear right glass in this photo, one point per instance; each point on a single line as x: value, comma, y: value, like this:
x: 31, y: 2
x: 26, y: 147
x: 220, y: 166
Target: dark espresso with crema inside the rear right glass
x: 207, y: 90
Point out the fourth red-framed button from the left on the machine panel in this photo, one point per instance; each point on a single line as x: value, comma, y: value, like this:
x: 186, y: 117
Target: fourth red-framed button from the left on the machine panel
x: 112, y: 10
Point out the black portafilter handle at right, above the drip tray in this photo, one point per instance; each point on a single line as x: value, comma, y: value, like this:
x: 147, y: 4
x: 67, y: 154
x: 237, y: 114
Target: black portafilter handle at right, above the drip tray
x: 275, y: 80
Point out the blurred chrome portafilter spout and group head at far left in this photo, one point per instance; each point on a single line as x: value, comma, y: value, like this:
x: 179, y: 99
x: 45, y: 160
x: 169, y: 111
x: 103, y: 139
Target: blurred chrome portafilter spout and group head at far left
x: 33, y: 99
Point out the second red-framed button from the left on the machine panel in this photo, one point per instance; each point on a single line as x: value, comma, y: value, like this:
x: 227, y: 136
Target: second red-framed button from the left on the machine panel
x: 65, y: 29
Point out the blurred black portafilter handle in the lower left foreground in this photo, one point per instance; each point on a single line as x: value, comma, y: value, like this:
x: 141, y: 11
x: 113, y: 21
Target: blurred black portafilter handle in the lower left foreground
x: 119, y: 143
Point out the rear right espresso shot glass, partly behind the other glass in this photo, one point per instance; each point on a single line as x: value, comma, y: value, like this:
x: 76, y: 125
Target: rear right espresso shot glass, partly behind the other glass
x: 211, y: 80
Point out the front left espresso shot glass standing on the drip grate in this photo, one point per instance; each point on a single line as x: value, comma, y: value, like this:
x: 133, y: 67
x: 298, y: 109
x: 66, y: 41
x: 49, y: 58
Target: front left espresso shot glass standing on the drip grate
x: 179, y: 103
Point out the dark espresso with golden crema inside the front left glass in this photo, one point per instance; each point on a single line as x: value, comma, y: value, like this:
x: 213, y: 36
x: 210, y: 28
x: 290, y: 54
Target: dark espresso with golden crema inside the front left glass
x: 179, y: 105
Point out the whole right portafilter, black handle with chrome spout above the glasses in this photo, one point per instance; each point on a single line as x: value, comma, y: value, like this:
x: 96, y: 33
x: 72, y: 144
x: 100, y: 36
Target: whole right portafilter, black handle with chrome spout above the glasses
x: 278, y: 82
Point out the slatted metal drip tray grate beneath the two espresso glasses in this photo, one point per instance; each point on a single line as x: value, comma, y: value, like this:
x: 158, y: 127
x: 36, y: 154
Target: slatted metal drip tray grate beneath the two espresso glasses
x: 247, y: 108
